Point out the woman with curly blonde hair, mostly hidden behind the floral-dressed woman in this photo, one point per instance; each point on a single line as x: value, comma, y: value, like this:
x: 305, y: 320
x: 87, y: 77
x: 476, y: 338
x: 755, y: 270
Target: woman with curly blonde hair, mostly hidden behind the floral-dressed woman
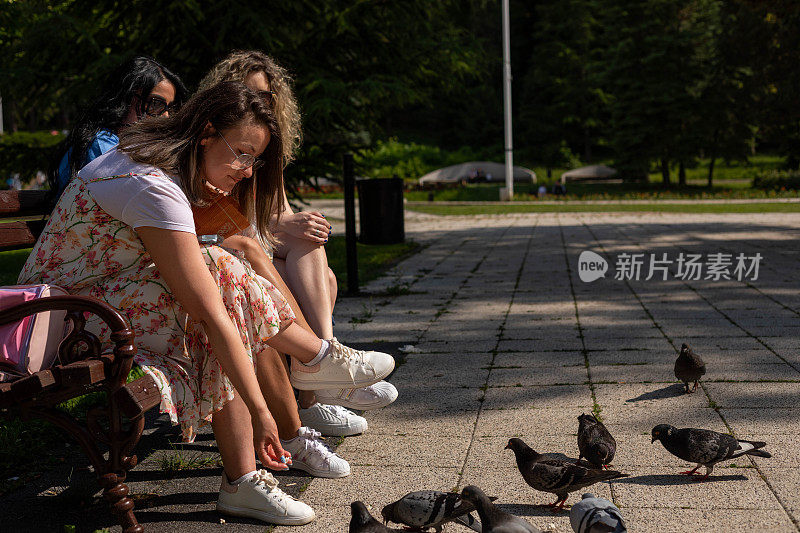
x: 298, y: 255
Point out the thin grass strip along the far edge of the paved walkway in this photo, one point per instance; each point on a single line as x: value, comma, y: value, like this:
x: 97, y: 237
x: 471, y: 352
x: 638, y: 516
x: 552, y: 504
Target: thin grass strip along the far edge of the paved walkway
x: 698, y: 207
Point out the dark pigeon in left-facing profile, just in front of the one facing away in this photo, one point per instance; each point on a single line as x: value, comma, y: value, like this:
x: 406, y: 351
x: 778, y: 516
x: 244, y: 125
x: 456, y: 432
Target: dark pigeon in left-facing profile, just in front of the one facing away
x: 556, y: 475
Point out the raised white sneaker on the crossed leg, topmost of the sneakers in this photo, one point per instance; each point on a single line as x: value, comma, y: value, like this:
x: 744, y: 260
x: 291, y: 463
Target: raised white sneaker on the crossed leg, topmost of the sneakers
x: 344, y: 367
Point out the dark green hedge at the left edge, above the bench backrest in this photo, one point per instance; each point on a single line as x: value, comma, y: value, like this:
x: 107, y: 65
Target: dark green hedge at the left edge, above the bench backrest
x: 26, y: 152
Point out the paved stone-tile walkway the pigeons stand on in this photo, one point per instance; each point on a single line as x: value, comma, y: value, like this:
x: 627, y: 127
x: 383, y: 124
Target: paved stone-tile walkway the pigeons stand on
x: 512, y: 343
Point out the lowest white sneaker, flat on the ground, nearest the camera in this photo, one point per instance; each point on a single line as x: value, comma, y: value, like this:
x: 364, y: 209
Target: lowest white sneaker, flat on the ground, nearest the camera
x: 259, y: 497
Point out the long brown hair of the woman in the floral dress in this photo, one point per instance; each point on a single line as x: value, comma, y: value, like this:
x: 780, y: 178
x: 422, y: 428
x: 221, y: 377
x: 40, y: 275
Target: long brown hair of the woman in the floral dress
x: 173, y: 145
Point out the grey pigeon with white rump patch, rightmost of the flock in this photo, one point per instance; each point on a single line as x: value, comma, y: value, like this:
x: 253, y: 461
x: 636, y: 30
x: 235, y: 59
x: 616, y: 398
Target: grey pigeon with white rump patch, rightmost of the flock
x: 704, y: 447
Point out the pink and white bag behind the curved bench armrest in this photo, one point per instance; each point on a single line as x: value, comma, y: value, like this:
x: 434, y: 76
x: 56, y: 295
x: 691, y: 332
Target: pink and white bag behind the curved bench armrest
x: 32, y: 343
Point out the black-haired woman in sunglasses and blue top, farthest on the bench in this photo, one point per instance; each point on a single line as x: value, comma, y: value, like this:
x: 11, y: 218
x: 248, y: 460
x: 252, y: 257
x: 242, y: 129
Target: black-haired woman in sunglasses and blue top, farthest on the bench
x: 135, y: 89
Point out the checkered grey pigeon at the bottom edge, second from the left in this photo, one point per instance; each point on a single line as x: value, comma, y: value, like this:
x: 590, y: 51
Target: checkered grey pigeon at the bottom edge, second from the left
x: 425, y: 509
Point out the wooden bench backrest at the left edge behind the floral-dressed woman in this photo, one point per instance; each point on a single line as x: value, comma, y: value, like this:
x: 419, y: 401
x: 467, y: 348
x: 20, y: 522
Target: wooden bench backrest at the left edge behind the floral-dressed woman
x: 23, y: 215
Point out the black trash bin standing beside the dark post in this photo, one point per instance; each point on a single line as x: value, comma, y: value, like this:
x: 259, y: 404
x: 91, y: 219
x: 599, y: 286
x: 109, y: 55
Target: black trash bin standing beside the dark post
x: 380, y: 209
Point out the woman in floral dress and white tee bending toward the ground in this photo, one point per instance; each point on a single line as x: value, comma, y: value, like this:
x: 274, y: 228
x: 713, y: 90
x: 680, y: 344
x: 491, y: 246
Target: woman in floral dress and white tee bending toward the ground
x: 123, y: 232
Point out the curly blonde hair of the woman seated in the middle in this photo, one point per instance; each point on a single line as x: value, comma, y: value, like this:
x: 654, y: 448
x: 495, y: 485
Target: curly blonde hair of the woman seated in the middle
x: 241, y: 63
